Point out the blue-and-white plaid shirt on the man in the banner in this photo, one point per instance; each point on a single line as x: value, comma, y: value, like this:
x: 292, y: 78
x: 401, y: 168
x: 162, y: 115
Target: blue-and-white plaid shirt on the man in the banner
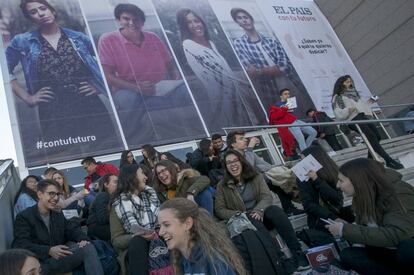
x: 251, y: 55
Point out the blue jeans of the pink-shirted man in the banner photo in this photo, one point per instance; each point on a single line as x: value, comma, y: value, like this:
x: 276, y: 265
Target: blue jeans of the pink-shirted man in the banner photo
x: 152, y: 118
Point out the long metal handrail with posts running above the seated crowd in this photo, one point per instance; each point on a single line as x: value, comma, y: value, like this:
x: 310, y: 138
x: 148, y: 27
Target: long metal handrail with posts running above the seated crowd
x: 333, y: 123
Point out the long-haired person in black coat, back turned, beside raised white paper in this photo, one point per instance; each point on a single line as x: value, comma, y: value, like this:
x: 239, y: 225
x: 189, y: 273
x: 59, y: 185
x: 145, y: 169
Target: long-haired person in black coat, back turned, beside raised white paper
x: 319, y: 195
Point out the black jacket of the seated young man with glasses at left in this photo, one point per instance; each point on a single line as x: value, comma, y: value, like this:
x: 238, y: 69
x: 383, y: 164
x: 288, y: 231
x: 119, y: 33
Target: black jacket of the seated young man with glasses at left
x: 31, y: 233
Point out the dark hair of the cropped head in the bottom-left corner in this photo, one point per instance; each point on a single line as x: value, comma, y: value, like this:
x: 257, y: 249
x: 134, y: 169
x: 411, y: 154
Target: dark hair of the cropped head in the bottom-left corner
x: 12, y: 261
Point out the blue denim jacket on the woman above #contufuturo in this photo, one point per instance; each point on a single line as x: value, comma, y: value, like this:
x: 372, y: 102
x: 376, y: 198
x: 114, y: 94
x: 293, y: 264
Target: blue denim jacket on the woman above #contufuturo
x: 26, y: 47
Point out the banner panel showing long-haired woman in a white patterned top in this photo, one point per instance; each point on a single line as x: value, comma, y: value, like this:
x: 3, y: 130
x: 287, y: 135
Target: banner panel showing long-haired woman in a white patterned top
x: 221, y: 89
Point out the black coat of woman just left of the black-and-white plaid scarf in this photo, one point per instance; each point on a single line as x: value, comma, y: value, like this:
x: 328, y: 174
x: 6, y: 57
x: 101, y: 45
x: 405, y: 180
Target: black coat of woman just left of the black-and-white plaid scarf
x: 99, y: 210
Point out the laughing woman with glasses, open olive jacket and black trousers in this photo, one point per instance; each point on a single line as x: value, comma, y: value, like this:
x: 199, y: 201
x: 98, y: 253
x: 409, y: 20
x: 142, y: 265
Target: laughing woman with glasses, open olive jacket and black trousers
x: 243, y: 190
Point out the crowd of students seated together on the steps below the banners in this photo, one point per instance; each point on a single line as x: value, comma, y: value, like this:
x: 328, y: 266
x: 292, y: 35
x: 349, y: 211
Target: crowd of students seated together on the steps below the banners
x: 211, y: 228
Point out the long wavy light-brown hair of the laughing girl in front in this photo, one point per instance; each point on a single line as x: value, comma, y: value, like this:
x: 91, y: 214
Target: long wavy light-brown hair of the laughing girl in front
x: 206, y: 234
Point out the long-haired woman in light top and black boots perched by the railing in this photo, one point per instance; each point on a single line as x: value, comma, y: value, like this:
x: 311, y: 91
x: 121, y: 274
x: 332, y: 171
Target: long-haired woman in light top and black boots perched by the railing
x: 347, y: 104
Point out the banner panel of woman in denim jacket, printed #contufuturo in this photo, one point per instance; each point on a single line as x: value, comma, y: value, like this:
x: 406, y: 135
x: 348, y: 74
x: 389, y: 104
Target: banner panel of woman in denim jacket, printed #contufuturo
x: 65, y: 112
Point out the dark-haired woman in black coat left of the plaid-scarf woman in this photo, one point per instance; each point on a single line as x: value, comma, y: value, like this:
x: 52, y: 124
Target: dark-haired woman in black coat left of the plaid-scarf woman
x: 98, y: 220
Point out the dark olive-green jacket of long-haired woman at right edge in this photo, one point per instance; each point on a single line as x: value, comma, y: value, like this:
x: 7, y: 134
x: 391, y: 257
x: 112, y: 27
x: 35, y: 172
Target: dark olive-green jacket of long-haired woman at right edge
x: 397, y: 223
